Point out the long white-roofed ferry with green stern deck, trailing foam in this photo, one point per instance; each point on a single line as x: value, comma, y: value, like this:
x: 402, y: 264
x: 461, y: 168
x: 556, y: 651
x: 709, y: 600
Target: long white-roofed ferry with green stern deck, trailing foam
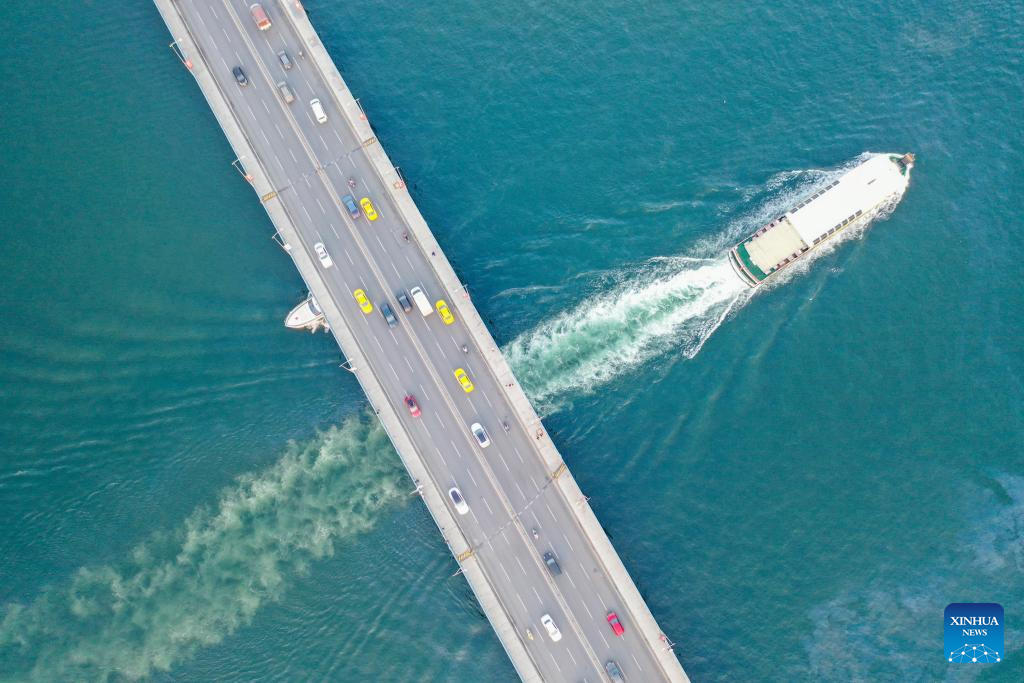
x: 852, y: 200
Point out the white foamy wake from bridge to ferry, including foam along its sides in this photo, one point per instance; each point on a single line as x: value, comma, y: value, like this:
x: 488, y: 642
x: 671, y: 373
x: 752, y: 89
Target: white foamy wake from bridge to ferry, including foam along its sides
x: 671, y: 306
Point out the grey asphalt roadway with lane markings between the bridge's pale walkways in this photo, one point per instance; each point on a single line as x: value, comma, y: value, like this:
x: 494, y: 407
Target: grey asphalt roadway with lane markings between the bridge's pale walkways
x: 506, y: 485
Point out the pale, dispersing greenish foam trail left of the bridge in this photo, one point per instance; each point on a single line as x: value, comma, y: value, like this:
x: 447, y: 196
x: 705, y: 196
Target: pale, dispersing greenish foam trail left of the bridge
x: 193, y: 588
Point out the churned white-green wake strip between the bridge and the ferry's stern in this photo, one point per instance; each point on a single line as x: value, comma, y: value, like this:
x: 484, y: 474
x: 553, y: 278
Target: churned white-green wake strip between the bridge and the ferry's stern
x: 673, y: 303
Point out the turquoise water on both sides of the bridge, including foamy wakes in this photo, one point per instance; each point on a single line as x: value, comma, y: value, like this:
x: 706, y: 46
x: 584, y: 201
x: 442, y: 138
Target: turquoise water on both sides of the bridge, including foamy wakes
x: 799, y: 482
